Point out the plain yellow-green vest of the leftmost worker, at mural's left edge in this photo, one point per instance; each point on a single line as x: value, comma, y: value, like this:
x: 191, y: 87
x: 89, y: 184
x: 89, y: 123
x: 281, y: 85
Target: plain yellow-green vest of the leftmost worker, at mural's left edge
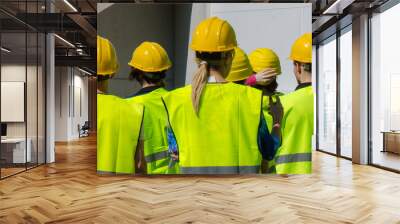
x: 118, y: 129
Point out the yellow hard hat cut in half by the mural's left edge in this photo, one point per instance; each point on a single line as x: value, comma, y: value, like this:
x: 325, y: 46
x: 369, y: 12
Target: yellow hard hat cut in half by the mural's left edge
x: 107, y: 62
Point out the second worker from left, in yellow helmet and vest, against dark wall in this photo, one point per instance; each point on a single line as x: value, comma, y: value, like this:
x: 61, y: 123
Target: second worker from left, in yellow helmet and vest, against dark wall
x: 149, y: 64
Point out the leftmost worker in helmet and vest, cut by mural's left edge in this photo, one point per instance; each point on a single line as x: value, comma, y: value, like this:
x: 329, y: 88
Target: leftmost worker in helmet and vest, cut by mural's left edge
x: 118, y: 123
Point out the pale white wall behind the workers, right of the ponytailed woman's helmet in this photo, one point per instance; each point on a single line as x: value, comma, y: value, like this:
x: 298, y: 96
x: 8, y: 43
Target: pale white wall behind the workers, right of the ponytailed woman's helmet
x: 274, y: 26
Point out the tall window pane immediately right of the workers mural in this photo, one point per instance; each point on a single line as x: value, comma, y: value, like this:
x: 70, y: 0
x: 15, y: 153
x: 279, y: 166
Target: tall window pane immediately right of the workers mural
x: 327, y: 96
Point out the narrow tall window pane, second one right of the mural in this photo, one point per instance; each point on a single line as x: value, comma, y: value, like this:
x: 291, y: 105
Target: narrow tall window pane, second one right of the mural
x: 346, y: 93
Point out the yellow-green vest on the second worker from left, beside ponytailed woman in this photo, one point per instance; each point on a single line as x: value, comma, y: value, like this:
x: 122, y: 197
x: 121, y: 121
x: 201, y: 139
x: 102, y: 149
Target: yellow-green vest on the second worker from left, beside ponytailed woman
x: 154, y: 136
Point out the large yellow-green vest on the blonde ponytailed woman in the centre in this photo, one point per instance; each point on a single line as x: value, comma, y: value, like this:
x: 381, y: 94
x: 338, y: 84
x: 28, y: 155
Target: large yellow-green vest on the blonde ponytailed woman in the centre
x: 222, y: 138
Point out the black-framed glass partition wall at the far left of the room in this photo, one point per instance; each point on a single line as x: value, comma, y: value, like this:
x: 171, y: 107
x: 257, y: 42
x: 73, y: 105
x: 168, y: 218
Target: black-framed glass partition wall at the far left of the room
x: 22, y: 107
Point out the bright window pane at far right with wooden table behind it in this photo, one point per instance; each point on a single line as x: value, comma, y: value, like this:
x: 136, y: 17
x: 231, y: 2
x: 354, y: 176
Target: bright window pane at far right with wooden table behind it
x: 385, y: 84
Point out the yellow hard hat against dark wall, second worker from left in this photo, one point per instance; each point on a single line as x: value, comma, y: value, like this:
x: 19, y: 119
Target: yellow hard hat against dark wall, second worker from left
x: 150, y: 57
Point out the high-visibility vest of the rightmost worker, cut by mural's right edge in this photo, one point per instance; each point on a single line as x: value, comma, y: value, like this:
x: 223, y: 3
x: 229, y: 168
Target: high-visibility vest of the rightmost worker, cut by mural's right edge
x: 295, y: 154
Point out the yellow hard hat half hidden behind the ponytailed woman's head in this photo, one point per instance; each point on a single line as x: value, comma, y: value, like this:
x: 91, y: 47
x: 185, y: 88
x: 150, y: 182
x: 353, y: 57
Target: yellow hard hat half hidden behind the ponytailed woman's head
x: 240, y: 68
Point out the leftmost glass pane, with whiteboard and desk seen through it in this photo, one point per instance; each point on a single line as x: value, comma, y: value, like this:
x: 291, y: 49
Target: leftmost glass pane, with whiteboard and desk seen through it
x: 13, y: 87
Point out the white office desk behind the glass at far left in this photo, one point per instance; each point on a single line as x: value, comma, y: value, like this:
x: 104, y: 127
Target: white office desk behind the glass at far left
x: 13, y: 150
